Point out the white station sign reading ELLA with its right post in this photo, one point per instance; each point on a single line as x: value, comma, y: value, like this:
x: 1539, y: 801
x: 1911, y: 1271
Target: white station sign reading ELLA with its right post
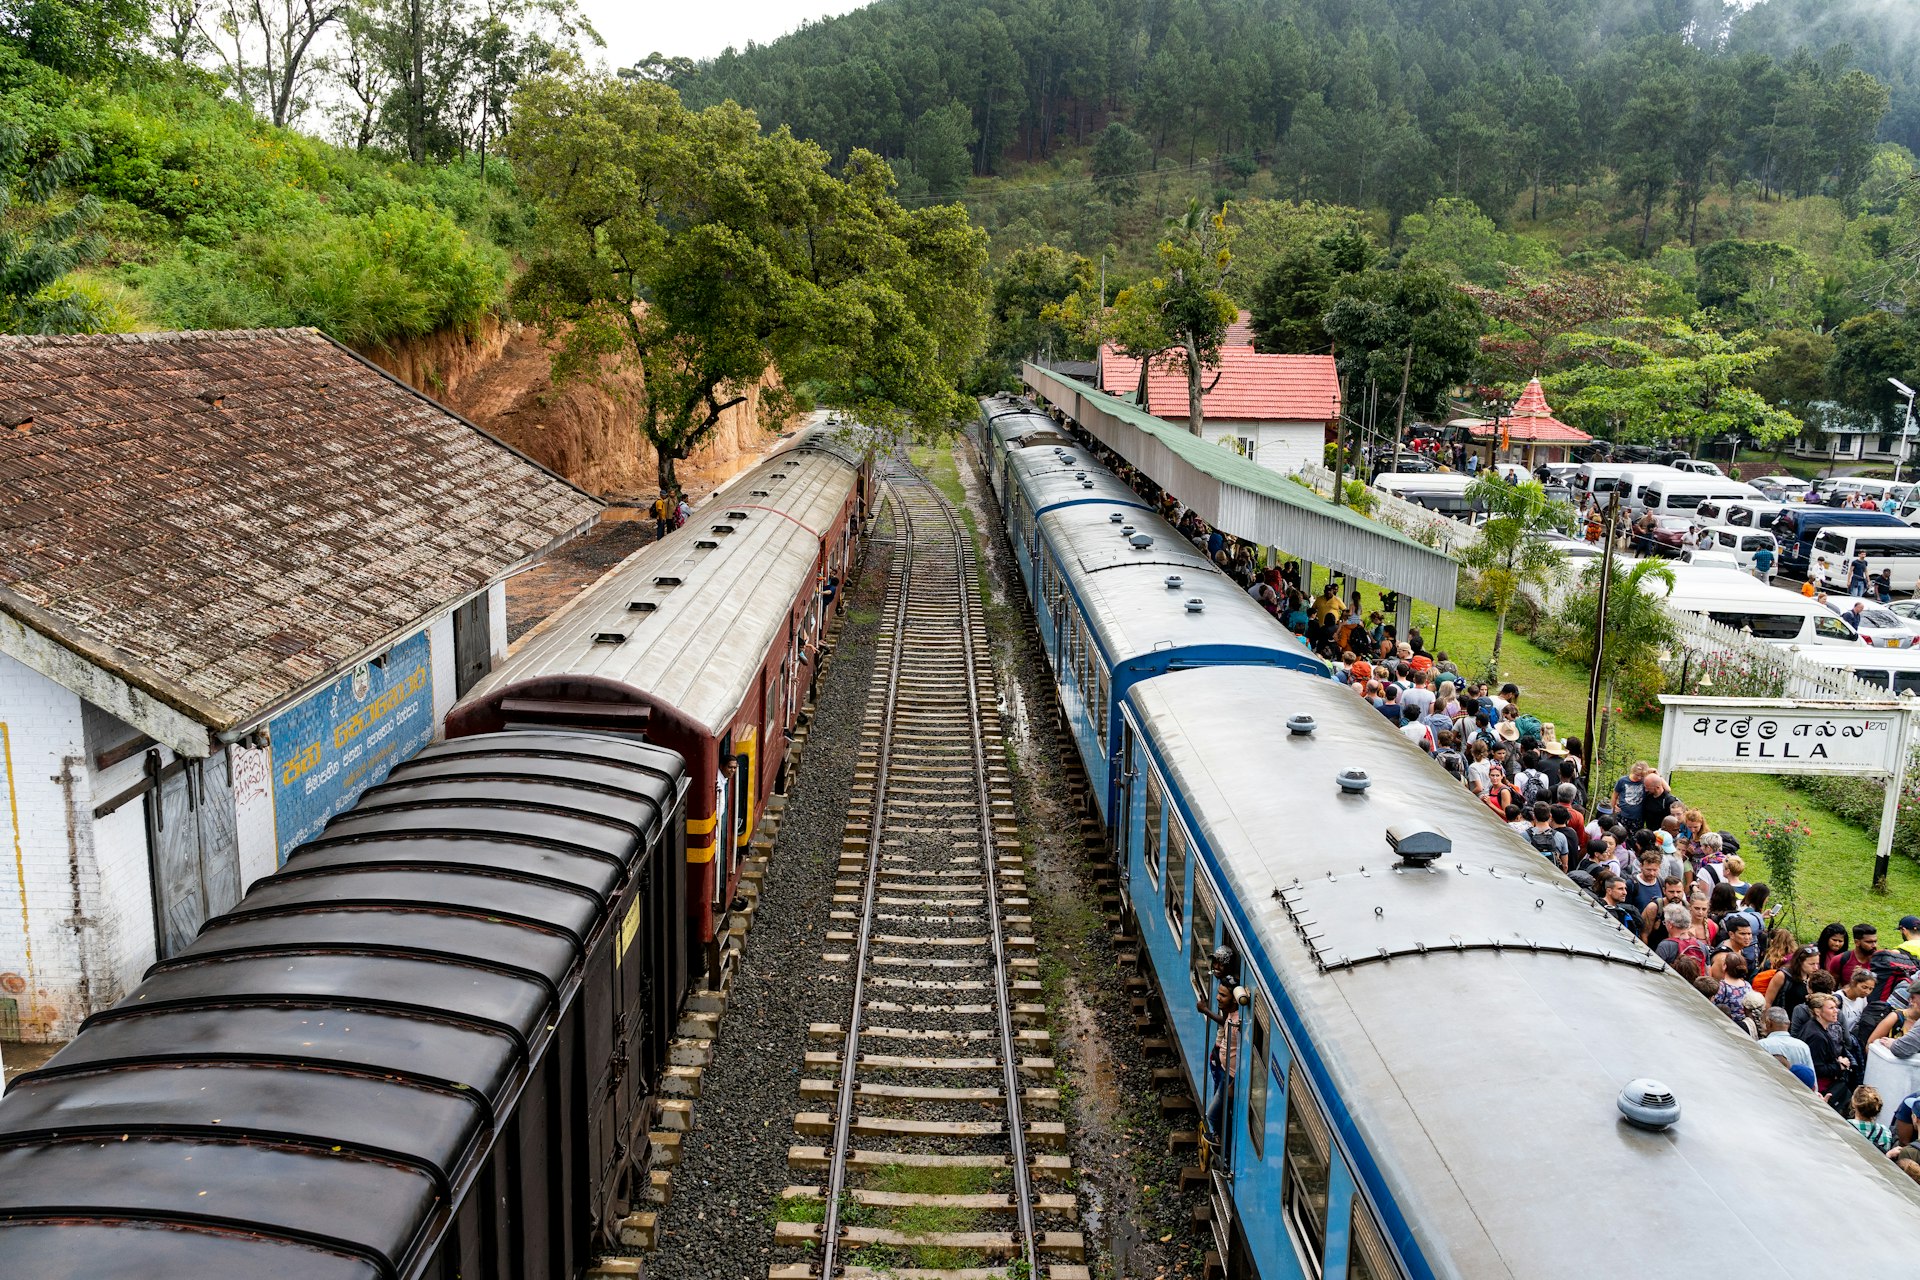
x: 1796, y: 736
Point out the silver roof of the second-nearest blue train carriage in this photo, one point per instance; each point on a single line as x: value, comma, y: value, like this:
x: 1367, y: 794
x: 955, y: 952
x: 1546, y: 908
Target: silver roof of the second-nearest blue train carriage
x: 1126, y: 596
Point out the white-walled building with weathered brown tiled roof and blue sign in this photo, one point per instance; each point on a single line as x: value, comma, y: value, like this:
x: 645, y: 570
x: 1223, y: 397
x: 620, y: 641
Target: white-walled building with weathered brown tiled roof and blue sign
x: 243, y: 575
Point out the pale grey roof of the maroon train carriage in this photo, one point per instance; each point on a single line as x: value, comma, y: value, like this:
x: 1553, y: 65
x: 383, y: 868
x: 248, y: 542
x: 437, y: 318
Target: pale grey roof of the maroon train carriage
x: 698, y: 611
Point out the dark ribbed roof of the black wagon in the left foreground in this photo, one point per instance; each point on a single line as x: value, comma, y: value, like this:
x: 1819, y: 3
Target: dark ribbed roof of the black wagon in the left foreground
x: 308, y: 1087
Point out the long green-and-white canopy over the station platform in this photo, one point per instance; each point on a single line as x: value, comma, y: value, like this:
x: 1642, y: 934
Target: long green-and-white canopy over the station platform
x: 1247, y: 500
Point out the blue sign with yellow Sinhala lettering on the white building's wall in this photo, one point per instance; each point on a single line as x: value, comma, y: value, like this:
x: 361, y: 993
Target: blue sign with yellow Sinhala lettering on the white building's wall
x: 348, y: 738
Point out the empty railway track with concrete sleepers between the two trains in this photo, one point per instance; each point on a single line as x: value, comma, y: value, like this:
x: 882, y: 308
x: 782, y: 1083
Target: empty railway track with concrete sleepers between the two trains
x: 930, y: 1160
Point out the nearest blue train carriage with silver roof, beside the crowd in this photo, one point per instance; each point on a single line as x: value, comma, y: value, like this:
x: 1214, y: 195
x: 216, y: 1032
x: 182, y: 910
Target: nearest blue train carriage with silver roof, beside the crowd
x: 1443, y: 1060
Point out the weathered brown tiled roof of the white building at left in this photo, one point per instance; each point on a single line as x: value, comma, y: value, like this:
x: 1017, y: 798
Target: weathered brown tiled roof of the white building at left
x: 229, y: 519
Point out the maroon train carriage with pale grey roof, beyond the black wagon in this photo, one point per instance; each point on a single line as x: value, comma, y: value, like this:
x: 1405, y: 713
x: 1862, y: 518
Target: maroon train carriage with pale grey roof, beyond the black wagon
x: 706, y: 644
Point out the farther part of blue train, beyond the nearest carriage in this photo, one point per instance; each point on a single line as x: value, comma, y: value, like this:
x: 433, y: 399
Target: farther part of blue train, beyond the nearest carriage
x: 1116, y: 592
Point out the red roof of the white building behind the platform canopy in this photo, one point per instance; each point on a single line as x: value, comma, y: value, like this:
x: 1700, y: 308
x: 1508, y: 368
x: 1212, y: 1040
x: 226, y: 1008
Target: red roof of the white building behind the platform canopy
x: 1251, y: 387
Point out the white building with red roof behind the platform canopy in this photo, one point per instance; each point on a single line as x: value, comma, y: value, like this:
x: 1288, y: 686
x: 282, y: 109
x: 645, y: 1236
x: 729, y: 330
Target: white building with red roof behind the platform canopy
x: 1276, y: 410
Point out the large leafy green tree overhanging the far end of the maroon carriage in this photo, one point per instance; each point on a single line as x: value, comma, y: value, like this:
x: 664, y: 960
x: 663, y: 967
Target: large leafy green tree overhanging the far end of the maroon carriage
x: 692, y: 256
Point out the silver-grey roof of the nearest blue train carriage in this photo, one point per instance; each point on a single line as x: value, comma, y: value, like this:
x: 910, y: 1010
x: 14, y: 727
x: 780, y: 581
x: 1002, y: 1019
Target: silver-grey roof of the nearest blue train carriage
x: 1481, y: 1018
